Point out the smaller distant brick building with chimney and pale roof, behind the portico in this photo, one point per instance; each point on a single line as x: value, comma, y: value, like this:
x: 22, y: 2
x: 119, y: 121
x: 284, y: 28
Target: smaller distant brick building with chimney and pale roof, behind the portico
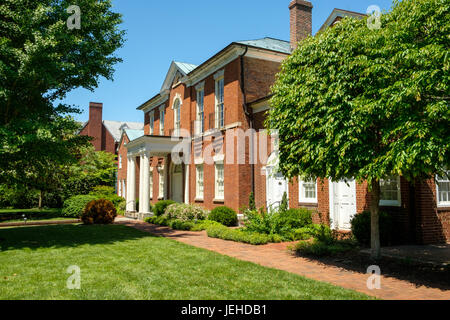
x: 106, y: 134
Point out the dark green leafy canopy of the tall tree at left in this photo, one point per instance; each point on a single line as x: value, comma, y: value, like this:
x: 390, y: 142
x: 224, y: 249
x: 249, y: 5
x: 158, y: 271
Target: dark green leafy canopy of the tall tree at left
x: 41, y: 60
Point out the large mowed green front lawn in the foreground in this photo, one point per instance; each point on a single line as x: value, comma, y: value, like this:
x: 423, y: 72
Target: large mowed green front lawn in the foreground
x: 118, y: 262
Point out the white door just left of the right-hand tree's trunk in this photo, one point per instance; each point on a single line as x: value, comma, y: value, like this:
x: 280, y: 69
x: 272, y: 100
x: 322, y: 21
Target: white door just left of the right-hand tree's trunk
x: 344, y: 203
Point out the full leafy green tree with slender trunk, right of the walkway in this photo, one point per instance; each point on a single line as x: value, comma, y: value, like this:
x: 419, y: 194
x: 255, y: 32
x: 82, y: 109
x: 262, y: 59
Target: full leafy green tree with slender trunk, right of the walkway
x: 364, y: 103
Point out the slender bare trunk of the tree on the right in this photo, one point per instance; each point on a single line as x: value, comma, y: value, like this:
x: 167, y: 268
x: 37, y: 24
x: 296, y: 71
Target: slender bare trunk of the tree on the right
x: 375, y: 220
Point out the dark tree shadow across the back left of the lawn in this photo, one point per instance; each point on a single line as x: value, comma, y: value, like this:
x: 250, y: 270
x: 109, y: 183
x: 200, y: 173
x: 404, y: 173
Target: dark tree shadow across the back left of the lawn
x: 65, y: 236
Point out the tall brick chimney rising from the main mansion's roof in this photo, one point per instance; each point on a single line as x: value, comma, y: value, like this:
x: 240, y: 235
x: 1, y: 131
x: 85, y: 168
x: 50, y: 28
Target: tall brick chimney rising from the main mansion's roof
x: 301, y: 21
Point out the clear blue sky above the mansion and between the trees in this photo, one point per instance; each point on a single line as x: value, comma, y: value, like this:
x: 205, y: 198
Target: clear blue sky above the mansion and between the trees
x: 159, y: 32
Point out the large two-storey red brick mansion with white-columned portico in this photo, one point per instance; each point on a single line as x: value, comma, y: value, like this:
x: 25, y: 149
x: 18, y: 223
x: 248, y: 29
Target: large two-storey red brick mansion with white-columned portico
x: 203, y: 113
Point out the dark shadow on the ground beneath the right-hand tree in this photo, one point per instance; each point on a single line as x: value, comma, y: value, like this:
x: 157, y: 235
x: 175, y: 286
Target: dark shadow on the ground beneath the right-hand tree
x: 398, y: 268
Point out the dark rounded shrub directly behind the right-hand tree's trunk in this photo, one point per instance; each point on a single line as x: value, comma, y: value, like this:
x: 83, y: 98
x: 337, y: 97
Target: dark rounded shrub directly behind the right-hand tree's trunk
x: 361, y: 228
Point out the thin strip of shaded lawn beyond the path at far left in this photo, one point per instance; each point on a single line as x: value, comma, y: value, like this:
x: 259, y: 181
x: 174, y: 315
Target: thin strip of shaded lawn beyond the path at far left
x: 16, y: 215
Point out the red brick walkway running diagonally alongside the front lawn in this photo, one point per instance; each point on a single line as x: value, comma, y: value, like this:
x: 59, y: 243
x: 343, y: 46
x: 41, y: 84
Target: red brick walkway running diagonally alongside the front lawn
x: 276, y: 256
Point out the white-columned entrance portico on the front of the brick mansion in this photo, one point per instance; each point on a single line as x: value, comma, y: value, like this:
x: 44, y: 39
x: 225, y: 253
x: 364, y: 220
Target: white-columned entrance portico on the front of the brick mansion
x: 144, y: 148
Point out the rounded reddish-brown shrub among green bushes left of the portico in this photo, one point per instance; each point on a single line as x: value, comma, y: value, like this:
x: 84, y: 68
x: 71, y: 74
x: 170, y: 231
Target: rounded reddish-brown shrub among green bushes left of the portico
x: 99, y: 212
